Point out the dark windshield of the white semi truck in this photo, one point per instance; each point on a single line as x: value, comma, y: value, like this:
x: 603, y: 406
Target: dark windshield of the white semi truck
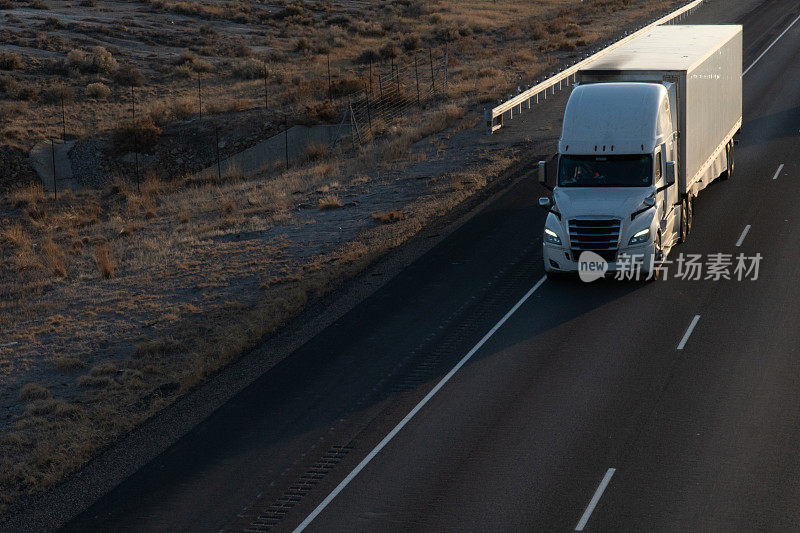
x: 605, y: 170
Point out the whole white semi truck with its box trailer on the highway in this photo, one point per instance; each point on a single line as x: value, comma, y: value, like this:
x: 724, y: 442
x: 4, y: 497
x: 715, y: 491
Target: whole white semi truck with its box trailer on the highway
x: 646, y: 128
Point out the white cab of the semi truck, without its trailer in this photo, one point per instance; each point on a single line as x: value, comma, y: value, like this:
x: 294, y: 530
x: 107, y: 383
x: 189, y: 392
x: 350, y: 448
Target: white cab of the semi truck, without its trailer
x: 614, y: 192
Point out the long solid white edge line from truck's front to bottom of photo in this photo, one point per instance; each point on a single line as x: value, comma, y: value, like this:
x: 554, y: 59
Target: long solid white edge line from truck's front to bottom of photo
x: 414, y: 411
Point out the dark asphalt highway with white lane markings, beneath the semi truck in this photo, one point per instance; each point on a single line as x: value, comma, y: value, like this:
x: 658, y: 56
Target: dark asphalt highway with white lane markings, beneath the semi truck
x: 611, y: 406
